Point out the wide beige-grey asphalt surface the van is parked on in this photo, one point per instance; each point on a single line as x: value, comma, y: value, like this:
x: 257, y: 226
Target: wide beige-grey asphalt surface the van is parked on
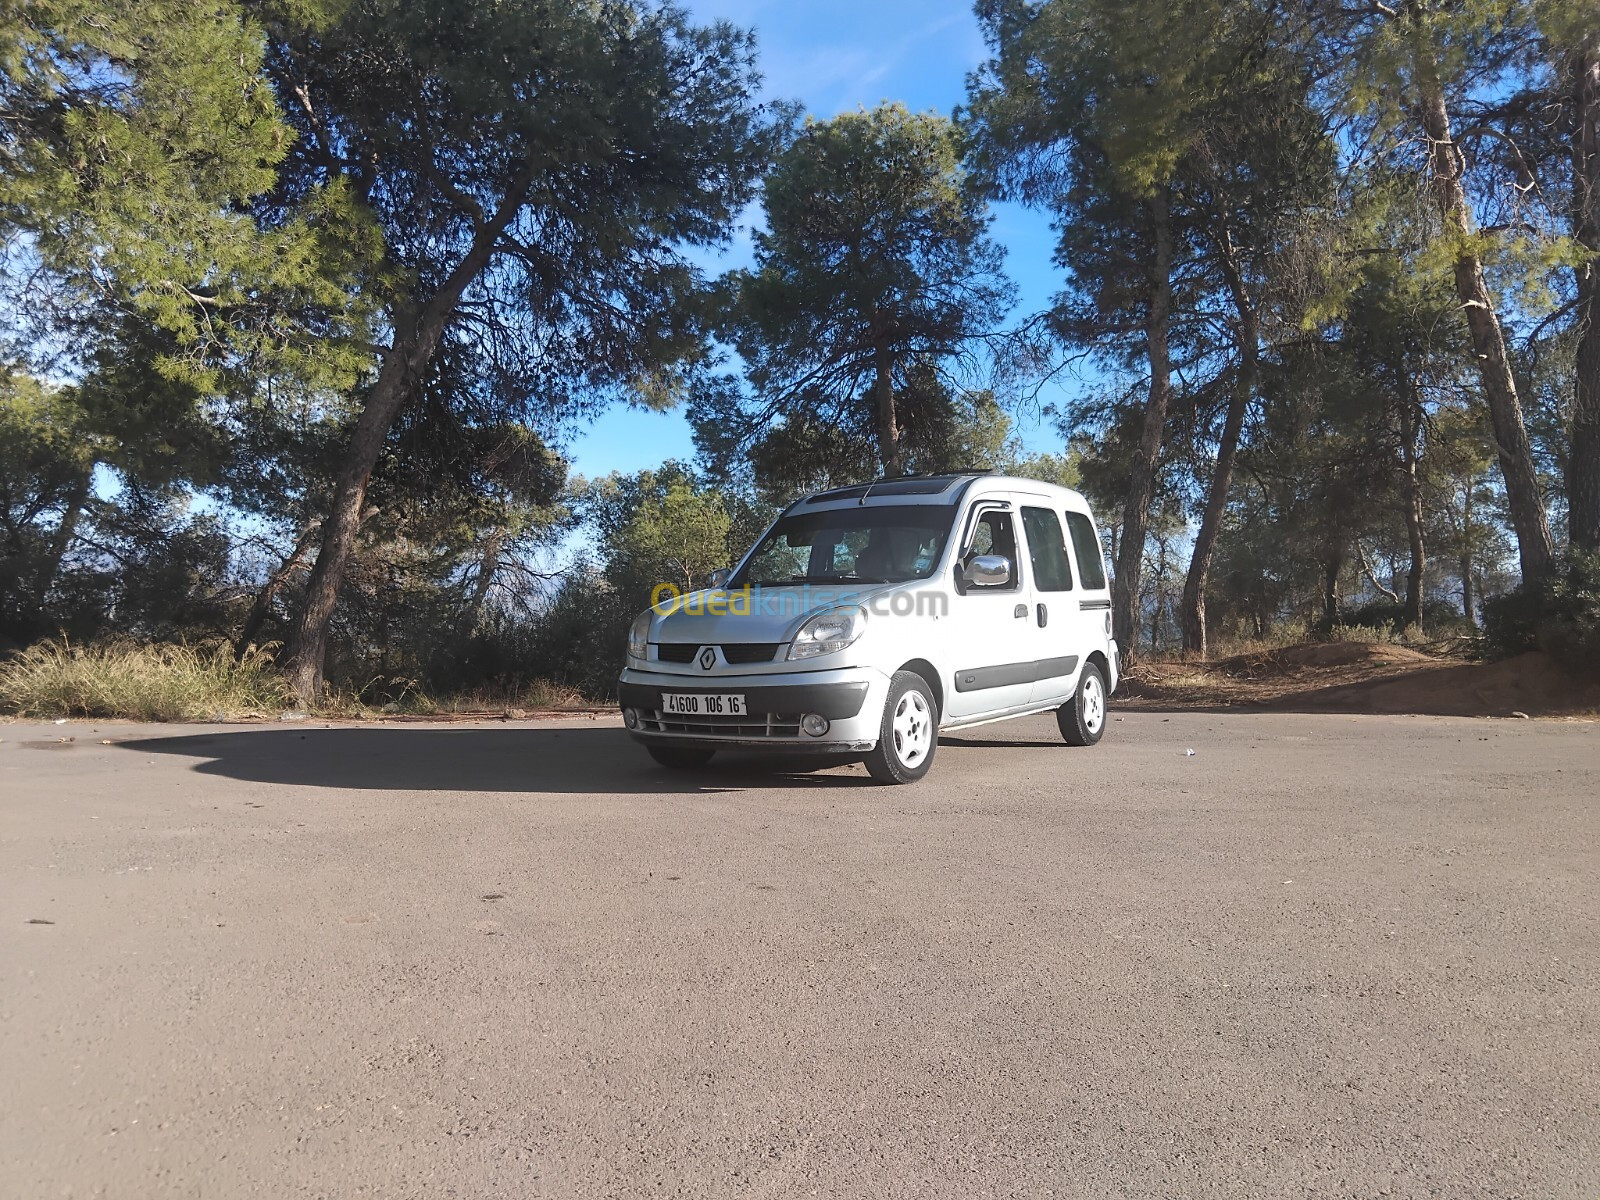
x: 1322, y: 956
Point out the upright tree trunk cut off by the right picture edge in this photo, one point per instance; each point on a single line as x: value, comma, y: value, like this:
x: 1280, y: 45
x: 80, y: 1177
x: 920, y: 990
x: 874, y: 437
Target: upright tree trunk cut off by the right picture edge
x: 1583, y: 465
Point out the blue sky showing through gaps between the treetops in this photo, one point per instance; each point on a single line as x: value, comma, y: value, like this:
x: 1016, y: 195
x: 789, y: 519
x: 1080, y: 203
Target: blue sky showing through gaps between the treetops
x: 838, y: 55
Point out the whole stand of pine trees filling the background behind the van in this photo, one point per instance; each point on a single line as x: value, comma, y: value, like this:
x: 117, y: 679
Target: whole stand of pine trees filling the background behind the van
x: 305, y: 300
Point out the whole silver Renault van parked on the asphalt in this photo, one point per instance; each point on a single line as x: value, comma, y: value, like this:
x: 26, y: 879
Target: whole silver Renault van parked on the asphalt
x: 870, y: 618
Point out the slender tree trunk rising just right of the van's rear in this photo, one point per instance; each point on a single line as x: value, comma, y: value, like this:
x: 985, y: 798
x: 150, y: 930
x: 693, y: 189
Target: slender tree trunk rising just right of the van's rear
x: 1142, y: 482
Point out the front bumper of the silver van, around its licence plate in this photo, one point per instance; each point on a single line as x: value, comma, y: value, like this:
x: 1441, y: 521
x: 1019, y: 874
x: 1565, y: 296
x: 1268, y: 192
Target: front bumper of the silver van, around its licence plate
x: 852, y: 698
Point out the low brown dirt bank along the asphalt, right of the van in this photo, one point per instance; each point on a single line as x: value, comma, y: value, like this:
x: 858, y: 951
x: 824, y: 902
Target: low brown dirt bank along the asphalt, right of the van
x: 1361, y: 678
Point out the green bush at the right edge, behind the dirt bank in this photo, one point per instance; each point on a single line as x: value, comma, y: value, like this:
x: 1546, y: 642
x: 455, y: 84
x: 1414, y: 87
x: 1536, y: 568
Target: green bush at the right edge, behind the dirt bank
x: 1559, y: 615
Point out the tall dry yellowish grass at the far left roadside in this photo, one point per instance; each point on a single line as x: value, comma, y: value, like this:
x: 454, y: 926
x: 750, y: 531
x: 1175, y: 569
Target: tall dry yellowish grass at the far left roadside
x: 142, y: 682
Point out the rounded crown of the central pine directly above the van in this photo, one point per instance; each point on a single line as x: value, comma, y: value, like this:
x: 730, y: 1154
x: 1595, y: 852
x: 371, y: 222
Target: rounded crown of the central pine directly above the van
x: 873, y: 294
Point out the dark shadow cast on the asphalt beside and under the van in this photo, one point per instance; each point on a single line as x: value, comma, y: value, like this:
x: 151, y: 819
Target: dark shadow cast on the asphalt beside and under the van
x: 516, y: 759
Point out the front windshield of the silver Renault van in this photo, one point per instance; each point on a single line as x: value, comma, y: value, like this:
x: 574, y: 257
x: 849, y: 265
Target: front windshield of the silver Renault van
x: 881, y: 545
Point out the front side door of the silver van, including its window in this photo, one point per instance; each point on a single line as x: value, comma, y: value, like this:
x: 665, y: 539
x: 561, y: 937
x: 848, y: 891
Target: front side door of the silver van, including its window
x: 991, y: 628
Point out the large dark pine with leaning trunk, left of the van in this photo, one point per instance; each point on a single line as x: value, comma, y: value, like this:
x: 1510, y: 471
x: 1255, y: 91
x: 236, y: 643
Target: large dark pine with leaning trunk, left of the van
x: 537, y: 170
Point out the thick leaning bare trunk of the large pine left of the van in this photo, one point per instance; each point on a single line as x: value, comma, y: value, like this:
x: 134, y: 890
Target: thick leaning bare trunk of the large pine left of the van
x: 406, y: 366
